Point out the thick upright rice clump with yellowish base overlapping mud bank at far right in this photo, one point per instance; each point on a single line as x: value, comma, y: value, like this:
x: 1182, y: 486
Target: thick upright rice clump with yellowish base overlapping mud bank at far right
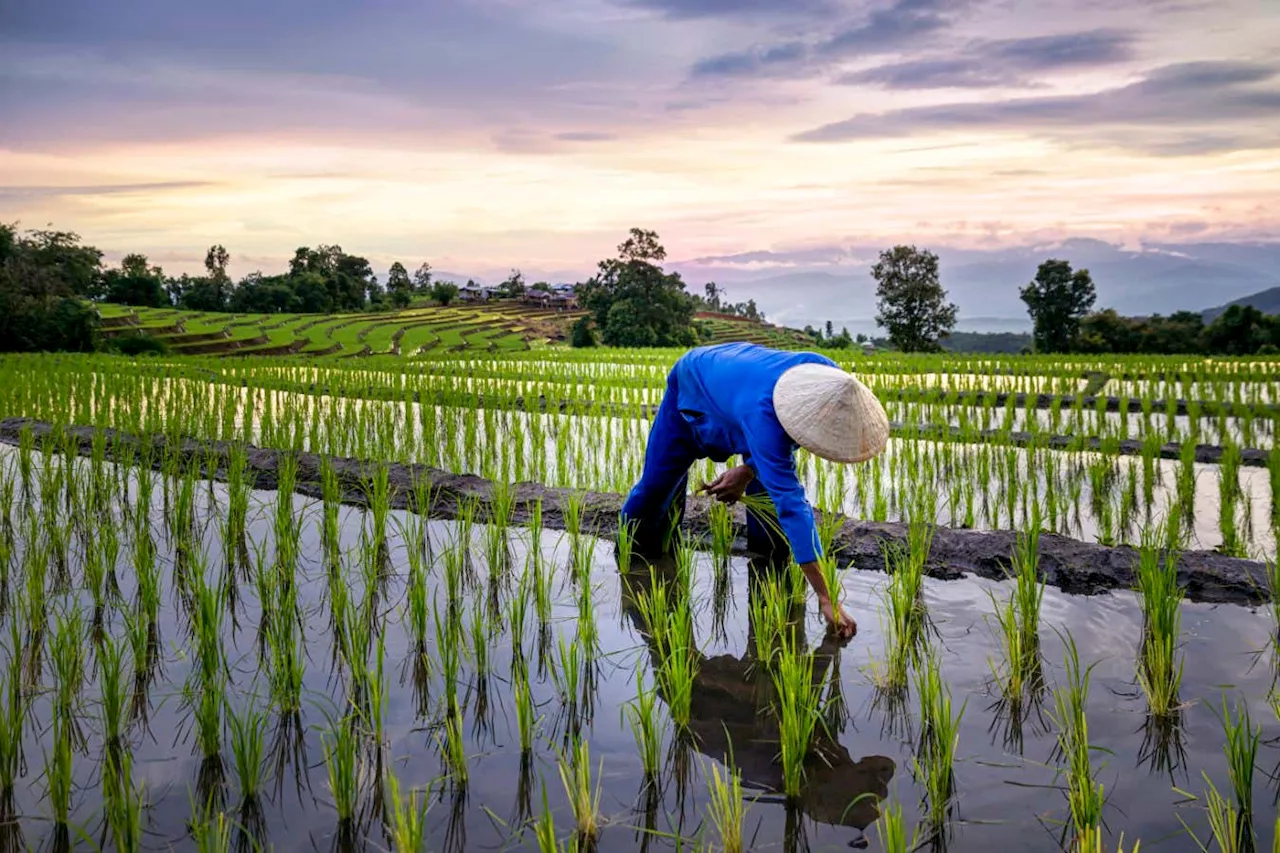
x: 1160, y: 668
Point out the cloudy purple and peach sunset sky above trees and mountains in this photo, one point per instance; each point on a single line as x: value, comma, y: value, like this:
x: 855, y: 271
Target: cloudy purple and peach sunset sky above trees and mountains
x: 483, y: 135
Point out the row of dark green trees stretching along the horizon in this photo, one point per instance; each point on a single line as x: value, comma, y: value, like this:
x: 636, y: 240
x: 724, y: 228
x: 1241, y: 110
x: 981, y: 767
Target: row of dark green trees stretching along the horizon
x: 49, y: 281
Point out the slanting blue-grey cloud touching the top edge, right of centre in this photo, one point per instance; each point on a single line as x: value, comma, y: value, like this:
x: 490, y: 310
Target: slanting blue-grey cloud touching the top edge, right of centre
x: 902, y: 25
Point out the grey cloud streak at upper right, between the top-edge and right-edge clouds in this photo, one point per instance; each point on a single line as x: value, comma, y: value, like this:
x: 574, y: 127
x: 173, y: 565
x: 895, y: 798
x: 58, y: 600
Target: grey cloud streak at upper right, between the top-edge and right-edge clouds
x: 1008, y: 62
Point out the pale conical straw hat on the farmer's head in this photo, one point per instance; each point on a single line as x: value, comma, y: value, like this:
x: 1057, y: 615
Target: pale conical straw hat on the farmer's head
x: 830, y: 413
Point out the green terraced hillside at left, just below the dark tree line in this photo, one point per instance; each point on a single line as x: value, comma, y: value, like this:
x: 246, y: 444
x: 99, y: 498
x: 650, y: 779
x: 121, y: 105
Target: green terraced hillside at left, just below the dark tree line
x: 413, y: 332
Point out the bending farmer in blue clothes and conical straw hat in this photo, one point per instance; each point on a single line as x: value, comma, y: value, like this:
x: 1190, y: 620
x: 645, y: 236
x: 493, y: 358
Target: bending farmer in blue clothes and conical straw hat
x: 760, y: 404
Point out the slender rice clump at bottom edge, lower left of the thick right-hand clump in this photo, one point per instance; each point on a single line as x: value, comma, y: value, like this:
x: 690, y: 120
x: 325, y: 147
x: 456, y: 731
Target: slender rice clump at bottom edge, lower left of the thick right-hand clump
x: 1085, y: 796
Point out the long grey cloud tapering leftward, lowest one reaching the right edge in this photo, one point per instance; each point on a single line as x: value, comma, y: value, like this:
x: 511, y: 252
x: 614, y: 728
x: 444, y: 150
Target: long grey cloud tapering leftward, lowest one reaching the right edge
x: 1164, y: 113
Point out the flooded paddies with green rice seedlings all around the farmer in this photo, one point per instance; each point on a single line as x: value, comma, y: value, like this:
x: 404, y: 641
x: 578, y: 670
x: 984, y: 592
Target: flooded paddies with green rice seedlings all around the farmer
x: 278, y: 603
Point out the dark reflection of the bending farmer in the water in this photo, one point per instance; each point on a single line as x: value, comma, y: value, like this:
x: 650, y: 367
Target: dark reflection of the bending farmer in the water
x: 733, y: 713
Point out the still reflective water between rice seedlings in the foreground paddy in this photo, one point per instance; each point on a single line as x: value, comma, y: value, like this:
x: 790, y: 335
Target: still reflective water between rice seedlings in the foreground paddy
x: 1008, y: 797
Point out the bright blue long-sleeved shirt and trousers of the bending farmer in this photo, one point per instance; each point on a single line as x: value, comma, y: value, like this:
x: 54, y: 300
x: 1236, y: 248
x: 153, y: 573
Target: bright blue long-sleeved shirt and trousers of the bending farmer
x: 719, y: 404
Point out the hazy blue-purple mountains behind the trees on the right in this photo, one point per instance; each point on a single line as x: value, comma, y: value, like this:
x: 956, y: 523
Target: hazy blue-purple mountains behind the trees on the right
x: 816, y: 285
